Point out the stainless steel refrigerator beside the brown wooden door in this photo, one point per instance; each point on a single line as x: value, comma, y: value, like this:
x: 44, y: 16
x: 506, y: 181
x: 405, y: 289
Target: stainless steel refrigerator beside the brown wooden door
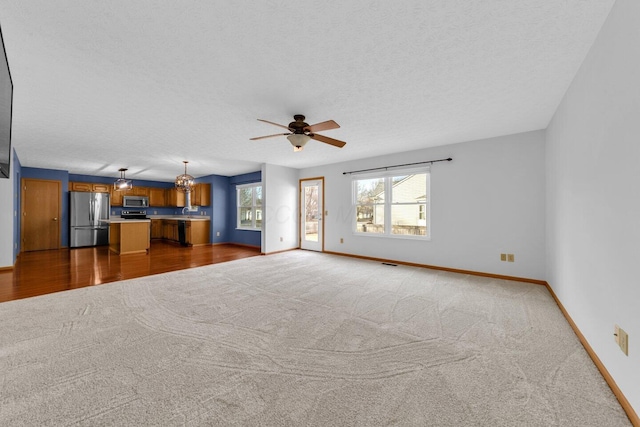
x: 86, y: 212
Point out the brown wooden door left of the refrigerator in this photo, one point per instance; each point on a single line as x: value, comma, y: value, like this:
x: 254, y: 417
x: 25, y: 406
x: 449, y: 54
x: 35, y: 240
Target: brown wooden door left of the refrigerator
x: 40, y: 214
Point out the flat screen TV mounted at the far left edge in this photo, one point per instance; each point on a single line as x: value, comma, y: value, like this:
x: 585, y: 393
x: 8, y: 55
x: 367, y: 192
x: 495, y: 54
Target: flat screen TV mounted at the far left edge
x: 6, y: 102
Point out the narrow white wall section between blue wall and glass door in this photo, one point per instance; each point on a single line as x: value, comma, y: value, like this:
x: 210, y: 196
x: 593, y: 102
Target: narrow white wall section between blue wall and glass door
x: 280, y: 186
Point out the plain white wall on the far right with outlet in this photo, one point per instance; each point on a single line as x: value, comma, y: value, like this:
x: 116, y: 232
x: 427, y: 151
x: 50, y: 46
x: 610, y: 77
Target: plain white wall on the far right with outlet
x: 593, y: 196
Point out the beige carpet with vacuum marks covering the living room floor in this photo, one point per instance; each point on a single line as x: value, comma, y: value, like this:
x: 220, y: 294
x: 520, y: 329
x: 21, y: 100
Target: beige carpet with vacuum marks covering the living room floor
x: 294, y: 339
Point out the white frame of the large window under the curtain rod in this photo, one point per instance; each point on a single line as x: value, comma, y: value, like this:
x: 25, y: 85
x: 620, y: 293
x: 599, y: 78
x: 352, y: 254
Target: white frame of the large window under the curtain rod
x: 388, y: 203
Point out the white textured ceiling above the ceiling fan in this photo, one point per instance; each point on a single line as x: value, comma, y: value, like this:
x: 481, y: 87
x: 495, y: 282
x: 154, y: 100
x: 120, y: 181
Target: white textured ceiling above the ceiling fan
x: 145, y: 84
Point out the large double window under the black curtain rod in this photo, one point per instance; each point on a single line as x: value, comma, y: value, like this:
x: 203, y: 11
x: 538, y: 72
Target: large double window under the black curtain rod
x: 394, y: 204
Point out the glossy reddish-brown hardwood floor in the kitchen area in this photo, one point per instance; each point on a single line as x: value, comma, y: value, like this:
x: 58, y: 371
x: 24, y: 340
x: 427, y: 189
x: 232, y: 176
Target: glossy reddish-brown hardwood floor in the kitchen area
x: 44, y: 272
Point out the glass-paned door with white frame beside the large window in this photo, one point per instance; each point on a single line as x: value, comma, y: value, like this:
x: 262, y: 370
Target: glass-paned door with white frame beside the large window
x: 311, y: 210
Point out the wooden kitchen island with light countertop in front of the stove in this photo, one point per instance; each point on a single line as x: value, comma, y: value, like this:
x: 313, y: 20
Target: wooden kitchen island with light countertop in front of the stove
x: 129, y: 236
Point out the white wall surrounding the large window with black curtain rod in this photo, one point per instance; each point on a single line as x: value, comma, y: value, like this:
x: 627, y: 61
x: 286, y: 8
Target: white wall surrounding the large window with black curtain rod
x: 488, y: 200
